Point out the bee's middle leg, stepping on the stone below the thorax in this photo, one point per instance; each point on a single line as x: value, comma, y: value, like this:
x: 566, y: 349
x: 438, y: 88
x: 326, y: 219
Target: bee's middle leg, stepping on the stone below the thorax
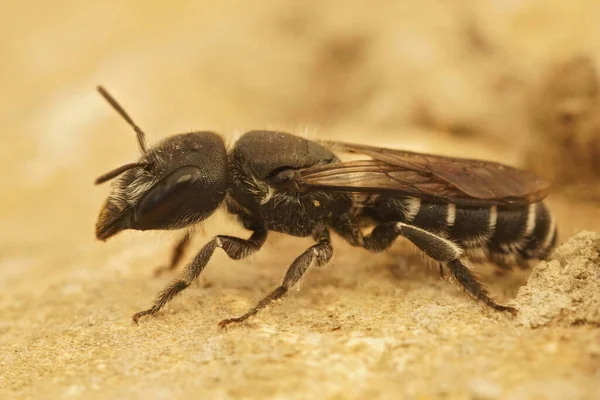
x: 318, y: 254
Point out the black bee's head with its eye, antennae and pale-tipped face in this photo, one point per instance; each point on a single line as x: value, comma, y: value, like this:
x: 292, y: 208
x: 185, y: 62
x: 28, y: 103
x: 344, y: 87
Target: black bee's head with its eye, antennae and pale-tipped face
x: 177, y: 183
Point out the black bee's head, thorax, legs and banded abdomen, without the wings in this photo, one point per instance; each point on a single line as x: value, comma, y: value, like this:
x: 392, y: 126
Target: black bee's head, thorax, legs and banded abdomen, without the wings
x: 185, y: 178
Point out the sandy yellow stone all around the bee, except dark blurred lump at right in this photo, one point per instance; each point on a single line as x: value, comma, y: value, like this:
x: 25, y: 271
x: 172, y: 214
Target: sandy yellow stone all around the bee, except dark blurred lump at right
x: 446, y: 77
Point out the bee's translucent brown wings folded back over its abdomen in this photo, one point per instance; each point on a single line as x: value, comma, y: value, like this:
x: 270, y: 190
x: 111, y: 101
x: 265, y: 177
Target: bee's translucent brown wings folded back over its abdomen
x: 458, y: 180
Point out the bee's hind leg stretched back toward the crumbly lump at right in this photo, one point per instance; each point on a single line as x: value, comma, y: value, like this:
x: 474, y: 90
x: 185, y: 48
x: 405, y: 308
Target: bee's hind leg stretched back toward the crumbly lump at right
x: 441, y: 250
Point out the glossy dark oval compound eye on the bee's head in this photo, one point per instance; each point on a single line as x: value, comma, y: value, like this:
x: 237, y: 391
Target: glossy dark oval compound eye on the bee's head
x: 165, y: 198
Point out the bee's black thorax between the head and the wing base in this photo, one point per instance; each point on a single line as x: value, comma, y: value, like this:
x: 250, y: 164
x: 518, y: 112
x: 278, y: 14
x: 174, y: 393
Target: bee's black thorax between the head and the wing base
x: 256, y: 160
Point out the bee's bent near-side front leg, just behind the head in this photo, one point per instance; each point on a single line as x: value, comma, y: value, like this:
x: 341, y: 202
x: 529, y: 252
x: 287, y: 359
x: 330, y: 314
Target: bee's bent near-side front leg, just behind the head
x: 236, y: 248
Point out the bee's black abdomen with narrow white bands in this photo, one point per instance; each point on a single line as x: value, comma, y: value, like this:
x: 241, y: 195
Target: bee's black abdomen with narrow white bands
x: 504, y: 235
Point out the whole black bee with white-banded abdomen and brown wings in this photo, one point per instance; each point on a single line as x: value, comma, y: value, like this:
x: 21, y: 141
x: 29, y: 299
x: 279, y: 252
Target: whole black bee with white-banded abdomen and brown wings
x: 452, y: 209
